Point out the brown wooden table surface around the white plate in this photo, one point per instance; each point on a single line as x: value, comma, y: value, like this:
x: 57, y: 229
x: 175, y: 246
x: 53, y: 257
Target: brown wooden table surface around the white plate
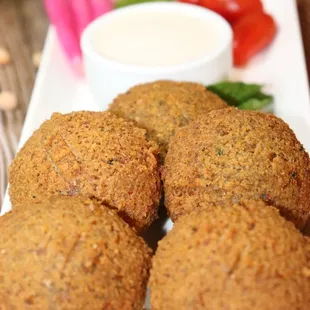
x: 23, y: 27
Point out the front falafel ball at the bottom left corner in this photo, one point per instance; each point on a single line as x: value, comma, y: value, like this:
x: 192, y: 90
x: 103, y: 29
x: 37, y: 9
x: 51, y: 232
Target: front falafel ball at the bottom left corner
x: 69, y: 253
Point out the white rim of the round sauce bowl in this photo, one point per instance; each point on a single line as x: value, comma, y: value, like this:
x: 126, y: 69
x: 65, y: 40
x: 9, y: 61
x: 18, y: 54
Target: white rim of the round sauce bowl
x: 90, y: 52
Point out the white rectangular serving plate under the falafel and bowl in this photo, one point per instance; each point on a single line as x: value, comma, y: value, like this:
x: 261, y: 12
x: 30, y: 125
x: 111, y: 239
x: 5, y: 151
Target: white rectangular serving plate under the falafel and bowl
x: 281, y: 68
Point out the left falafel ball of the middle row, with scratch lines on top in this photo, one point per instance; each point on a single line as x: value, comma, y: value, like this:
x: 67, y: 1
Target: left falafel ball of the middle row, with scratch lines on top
x: 93, y: 154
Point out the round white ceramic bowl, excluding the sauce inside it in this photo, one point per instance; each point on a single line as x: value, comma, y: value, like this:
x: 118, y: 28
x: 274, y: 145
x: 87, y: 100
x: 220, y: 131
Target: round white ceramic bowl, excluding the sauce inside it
x: 108, y: 78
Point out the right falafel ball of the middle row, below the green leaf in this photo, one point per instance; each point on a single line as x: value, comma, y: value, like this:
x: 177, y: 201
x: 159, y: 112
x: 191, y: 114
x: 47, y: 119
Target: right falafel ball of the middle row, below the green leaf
x: 230, y: 155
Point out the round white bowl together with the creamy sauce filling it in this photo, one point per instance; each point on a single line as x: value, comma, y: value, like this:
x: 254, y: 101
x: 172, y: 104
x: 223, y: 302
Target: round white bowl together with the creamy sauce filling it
x: 155, y: 41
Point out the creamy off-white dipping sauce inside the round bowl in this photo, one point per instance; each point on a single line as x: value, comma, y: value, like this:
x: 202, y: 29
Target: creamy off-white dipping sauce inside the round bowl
x: 156, y: 38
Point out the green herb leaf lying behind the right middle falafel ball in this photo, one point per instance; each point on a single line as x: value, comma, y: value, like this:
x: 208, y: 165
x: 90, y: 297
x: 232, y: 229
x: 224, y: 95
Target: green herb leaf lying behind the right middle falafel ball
x: 242, y: 95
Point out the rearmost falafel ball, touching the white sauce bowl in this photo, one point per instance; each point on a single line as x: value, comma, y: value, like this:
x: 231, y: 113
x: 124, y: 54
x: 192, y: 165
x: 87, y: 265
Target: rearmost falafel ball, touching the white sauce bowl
x: 163, y: 106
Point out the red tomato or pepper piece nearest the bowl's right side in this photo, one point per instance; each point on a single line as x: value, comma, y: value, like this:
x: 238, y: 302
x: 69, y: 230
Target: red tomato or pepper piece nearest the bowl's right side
x: 252, y: 33
